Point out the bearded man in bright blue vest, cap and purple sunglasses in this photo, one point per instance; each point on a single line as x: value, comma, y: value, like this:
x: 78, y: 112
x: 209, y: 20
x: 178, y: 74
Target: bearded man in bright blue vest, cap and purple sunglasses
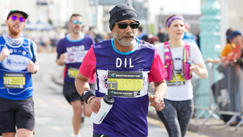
x: 17, y: 63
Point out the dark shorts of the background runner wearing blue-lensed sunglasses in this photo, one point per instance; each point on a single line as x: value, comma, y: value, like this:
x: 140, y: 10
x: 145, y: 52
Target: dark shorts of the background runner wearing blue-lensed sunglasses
x: 70, y: 92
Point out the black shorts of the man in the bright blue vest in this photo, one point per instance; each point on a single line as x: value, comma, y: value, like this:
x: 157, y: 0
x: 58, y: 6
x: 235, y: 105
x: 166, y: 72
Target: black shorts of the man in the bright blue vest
x: 16, y: 114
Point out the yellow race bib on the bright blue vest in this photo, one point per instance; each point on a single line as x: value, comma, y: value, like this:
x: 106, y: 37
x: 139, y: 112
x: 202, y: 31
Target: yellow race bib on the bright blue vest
x: 14, y: 80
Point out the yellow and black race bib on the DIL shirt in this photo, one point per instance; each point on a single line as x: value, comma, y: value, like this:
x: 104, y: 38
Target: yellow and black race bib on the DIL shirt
x: 125, y: 84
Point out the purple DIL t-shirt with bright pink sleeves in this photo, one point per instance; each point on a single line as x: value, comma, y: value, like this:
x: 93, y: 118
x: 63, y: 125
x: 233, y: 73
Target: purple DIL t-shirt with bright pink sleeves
x: 130, y: 73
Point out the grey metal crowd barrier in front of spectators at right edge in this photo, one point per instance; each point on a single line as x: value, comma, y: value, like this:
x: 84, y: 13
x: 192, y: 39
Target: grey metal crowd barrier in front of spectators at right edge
x: 225, y: 95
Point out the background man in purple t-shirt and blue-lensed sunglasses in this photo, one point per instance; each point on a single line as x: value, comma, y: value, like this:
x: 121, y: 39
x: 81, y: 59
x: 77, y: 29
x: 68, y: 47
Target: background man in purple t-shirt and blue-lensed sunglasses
x: 70, y: 52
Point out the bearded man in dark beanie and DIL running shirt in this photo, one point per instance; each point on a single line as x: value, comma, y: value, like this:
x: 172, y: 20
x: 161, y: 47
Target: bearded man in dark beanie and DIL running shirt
x: 129, y: 64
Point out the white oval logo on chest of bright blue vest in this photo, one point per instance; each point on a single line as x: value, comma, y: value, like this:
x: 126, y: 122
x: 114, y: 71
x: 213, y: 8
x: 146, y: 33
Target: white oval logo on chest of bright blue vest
x: 15, y: 62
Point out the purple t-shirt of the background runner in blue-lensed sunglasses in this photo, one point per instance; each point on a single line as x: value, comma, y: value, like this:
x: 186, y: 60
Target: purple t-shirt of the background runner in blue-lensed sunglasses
x: 75, y: 51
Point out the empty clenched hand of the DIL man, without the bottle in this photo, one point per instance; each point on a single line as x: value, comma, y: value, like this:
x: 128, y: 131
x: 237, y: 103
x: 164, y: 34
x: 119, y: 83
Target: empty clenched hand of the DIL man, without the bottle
x: 157, y: 102
